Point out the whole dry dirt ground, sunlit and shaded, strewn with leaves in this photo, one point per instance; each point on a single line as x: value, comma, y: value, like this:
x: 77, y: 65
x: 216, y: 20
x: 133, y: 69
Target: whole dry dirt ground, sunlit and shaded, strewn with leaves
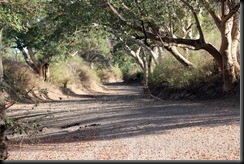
x: 125, y: 124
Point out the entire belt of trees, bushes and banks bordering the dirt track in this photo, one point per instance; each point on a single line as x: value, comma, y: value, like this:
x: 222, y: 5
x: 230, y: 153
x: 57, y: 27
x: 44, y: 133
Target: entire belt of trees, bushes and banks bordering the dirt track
x: 175, y: 49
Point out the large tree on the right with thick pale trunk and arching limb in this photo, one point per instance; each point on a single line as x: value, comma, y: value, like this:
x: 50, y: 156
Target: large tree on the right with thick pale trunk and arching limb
x: 153, y: 27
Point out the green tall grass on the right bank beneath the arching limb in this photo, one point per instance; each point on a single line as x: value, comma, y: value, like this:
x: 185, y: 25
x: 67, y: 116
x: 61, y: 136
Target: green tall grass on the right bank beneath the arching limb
x: 174, y: 74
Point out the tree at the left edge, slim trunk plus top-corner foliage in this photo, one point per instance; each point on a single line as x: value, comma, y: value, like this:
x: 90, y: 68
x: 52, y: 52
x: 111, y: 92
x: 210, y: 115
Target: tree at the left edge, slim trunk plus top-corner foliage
x: 12, y: 15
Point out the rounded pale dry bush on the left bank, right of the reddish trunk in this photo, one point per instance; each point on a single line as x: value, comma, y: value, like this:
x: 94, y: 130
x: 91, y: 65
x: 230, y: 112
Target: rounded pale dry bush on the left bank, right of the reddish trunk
x: 74, y: 74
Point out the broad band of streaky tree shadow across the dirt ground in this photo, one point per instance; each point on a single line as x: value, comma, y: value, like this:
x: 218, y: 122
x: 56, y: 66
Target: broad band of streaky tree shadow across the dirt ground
x: 128, y: 113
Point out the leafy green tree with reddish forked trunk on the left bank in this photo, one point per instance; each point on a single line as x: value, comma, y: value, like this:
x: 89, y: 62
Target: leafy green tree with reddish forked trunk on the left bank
x: 55, y: 31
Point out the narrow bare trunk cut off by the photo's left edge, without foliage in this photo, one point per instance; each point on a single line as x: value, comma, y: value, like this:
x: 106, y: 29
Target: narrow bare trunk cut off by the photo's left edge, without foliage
x: 3, y: 145
